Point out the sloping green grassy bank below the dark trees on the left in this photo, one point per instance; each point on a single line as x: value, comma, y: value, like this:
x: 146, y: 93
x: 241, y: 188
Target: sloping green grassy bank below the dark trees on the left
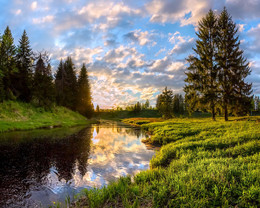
x: 24, y: 116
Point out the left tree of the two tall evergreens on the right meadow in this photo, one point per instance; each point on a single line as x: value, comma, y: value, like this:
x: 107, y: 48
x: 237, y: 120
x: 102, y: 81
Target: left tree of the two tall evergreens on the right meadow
x: 202, y: 70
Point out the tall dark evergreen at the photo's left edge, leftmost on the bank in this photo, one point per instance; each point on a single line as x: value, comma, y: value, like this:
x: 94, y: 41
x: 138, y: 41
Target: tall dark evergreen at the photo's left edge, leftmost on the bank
x: 7, y: 64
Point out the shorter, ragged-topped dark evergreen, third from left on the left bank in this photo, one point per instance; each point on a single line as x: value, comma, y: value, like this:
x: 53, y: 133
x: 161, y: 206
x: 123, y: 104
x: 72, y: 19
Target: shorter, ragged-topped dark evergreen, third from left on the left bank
x: 43, y: 89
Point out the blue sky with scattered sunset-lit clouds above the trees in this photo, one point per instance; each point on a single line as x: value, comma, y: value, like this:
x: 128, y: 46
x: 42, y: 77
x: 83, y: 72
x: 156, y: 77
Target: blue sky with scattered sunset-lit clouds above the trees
x: 132, y: 49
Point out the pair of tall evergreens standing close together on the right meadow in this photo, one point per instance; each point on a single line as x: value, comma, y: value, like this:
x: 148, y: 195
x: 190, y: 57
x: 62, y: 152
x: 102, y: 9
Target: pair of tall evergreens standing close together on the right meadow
x: 217, y: 71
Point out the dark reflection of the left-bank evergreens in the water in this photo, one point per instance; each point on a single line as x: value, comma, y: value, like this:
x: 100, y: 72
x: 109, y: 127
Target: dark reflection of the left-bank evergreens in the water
x: 26, y: 165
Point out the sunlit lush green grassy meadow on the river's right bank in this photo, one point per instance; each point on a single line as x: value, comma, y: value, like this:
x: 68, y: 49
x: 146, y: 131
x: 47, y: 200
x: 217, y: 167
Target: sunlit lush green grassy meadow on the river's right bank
x: 201, y: 164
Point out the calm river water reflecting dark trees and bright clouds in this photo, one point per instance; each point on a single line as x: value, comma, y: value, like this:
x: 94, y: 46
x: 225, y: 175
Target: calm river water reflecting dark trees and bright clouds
x: 39, y: 167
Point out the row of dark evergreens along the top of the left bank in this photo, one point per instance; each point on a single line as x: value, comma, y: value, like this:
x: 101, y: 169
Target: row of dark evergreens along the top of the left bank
x: 28, y: 77
